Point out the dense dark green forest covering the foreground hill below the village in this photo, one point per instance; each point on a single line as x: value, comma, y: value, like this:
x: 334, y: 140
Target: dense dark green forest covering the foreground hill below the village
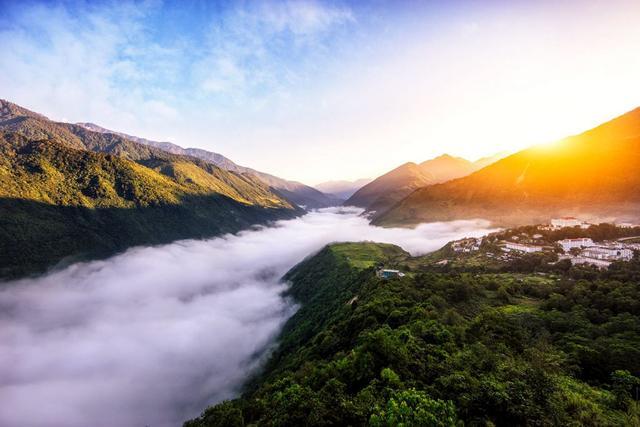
x: 445, y: 348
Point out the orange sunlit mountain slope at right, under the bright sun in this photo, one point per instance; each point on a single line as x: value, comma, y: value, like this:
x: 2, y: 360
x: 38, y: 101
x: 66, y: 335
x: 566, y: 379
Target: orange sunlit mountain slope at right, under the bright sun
x: 593, y: 175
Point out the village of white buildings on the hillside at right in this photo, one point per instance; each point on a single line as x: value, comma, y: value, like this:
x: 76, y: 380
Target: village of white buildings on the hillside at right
x: 578, y: 250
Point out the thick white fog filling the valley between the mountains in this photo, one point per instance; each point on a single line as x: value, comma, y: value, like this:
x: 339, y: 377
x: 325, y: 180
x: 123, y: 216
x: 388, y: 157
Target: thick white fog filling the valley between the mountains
x: 152, y: 336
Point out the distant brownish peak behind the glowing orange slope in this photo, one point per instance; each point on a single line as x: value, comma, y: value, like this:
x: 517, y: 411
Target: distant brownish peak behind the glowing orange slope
x: 386, y: 190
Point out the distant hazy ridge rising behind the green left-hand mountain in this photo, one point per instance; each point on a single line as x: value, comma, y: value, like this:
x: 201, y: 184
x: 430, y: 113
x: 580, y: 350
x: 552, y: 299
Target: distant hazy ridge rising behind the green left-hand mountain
x: 295, y: 192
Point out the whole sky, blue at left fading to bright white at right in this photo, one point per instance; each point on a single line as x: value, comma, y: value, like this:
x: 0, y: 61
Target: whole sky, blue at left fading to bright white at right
x: 318, y: 90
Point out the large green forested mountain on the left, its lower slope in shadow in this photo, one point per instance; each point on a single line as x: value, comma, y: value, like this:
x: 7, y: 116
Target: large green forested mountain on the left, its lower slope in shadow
x: 68, y: 193
